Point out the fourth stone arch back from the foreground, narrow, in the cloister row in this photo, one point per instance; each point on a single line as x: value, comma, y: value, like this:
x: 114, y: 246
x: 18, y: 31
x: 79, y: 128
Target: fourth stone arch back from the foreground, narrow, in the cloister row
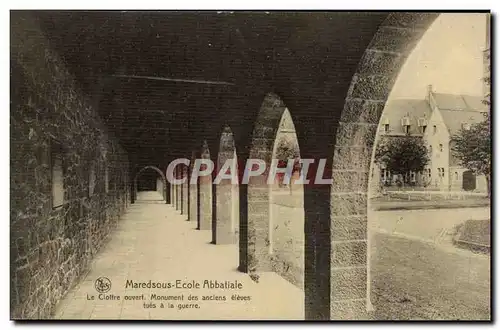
x: 205, y: 194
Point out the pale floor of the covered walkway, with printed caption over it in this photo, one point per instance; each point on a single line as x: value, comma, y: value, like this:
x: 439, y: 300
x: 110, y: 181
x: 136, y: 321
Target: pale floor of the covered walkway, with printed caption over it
x: 154, y: 242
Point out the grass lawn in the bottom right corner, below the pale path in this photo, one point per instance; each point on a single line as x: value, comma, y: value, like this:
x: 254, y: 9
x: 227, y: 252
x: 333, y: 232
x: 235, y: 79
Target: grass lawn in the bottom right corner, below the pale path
x: 412, y: 280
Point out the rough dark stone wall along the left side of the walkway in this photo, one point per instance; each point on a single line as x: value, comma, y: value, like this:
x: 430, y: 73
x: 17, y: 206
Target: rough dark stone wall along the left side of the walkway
x: 51, y: 248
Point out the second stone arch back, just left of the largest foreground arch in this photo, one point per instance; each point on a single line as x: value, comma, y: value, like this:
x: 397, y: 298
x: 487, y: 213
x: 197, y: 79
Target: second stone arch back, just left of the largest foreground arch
x: 254, y: 238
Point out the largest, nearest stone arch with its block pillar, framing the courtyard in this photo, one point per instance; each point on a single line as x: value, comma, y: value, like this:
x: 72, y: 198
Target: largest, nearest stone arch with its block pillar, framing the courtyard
x: 347, y: 278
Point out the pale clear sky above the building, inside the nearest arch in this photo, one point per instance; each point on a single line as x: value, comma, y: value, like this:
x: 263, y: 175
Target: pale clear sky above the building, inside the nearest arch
x: 449, y: 57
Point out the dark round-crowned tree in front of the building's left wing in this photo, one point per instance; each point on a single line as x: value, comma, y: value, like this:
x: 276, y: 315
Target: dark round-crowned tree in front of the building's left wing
x: 402, y: 155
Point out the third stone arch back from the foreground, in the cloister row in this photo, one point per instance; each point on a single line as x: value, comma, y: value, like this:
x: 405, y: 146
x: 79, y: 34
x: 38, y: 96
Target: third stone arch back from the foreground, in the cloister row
x: 226, y: 222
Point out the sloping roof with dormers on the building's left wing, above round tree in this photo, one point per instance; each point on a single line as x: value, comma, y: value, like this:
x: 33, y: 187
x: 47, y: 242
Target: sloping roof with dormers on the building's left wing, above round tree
x: 395, y: 110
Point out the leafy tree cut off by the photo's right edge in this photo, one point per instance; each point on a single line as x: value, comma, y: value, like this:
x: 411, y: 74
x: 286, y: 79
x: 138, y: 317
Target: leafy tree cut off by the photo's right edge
x: 472, y: 146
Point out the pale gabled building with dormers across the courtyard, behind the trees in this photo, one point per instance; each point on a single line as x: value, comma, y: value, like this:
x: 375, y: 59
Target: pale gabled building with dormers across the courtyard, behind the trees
x: 434, y: 119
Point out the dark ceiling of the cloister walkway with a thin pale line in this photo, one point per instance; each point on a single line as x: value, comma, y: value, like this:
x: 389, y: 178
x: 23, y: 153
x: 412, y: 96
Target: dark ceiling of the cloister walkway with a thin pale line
x: 208, y: 57
